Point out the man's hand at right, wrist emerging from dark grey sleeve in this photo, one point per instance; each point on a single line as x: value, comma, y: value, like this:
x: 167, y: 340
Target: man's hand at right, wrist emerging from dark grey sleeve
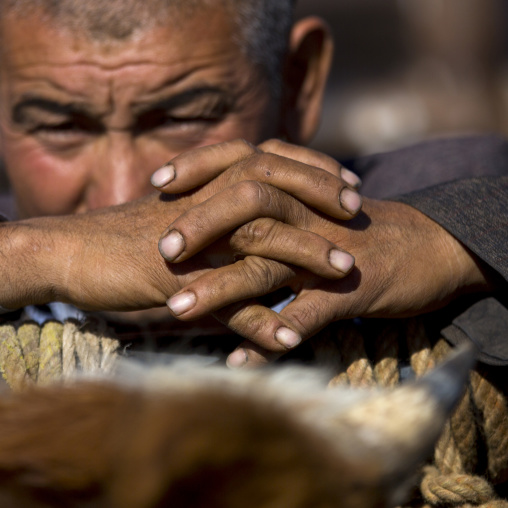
x: 406, y: 264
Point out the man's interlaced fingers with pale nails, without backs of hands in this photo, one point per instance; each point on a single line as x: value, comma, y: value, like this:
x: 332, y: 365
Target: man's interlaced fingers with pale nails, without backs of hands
x: 269, y: 221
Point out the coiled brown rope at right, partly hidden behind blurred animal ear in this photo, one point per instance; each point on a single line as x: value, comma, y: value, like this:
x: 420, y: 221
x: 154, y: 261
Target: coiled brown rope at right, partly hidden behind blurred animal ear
x: 456, y: 476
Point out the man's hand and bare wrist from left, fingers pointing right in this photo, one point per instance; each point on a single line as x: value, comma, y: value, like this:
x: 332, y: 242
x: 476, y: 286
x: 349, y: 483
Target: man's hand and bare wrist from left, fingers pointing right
x: 108, y: 259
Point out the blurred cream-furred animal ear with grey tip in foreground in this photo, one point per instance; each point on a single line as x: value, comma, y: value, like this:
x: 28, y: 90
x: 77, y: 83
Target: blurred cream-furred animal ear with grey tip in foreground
x: 390, y: 434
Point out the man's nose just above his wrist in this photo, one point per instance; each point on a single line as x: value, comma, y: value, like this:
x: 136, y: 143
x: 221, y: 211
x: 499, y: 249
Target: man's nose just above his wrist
x: 120, y: 172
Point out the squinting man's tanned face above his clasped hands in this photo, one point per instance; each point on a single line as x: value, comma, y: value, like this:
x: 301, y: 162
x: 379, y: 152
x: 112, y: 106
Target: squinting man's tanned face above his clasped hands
x: 84, y: 124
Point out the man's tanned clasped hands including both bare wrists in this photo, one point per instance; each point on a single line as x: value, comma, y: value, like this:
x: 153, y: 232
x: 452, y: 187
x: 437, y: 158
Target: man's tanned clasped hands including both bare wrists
x: 241, y: 222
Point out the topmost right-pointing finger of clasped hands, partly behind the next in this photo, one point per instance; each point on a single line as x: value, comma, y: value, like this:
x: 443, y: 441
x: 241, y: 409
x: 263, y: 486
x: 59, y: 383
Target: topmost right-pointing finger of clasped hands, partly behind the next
x: 311, y: 158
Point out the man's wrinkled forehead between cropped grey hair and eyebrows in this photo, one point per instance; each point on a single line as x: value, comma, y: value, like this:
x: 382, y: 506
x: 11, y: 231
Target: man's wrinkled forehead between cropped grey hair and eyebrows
x: 31, y: 47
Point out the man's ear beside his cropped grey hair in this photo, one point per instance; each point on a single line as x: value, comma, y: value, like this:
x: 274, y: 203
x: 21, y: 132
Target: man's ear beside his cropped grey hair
x: 305, y: 75
